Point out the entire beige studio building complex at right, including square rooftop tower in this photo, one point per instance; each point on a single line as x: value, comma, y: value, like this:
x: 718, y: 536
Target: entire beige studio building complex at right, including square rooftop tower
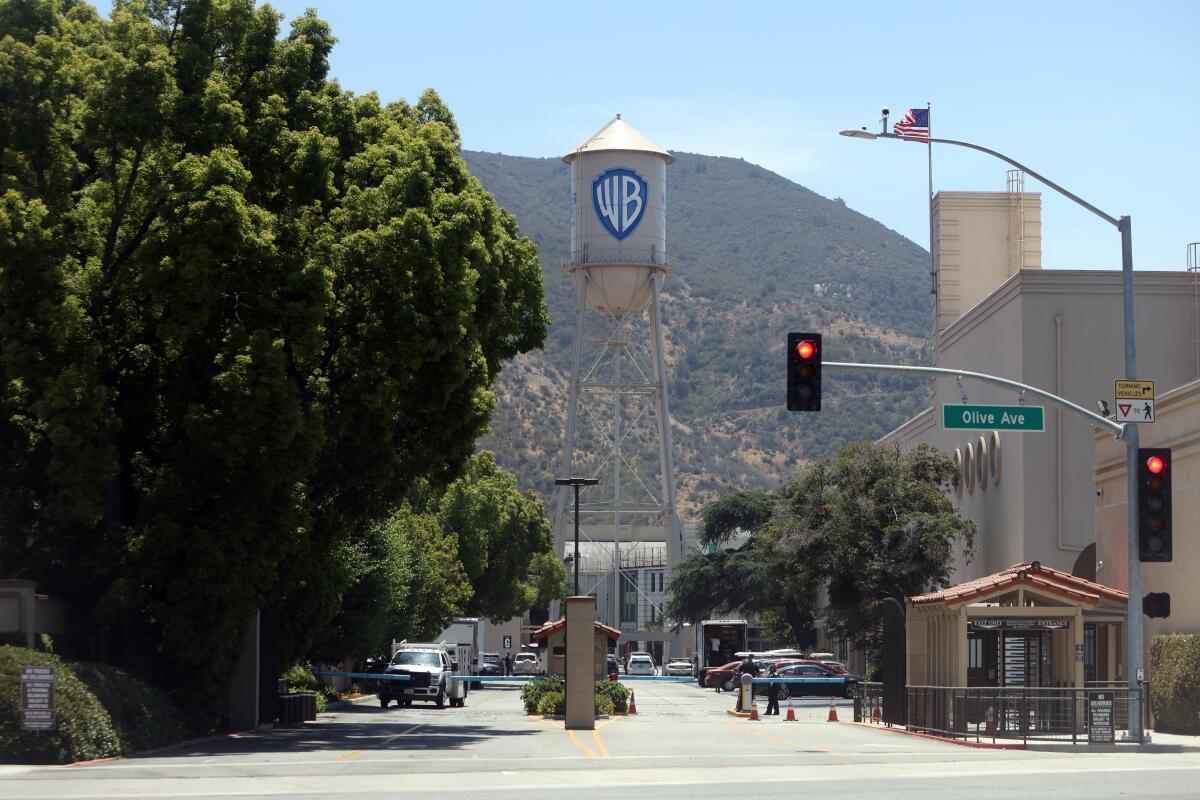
x: 1047, y: 497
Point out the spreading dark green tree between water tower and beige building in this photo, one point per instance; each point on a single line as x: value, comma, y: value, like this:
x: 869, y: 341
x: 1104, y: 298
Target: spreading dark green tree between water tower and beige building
x: 873, y: 524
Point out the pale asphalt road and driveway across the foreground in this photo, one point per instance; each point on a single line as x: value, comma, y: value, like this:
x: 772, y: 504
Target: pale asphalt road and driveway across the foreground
x: 682, y: 744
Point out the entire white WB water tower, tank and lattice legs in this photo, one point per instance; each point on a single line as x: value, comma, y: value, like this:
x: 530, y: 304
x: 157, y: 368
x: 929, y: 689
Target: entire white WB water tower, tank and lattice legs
x: 619, y: 423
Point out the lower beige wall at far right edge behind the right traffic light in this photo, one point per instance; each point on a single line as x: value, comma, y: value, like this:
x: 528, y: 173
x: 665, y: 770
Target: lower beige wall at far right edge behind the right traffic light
x: 1177, y: 426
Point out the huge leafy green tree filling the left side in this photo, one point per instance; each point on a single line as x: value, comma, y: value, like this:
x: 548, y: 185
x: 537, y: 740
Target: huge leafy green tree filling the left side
x: 242, y: 312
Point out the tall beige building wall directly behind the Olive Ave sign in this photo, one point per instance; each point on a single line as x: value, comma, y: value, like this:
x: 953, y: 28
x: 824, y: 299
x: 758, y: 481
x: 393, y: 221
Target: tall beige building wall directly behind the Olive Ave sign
x: 1060, y: 332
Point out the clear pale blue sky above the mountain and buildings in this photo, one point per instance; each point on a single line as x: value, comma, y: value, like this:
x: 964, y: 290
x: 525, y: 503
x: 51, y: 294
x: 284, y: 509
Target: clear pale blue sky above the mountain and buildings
x: 1101, y: 98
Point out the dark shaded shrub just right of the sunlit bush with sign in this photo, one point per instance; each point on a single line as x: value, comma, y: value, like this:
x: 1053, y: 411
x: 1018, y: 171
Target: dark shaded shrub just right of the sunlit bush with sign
x: 143, y: 717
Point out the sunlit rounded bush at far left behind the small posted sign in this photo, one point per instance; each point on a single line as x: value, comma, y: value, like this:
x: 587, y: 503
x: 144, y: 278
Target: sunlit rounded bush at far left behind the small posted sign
x: 83, y: 729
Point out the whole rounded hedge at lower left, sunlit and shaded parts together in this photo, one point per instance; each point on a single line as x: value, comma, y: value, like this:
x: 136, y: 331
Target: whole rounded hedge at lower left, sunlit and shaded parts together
x: 99, y: 712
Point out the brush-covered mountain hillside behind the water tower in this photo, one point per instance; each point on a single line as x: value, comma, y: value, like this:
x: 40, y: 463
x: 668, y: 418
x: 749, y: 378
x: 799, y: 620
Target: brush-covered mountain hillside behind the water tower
x: 758, y: 256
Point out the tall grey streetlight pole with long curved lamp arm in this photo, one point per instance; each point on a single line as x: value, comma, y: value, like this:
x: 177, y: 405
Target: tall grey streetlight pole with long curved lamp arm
x: 1130, y: 436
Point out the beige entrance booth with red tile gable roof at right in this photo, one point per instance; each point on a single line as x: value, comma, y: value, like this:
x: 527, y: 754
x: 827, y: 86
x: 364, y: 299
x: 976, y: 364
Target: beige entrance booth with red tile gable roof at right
x: 1012, y: 652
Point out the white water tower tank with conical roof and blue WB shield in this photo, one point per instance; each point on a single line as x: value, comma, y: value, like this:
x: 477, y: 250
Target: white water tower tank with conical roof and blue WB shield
x: 619, y: 218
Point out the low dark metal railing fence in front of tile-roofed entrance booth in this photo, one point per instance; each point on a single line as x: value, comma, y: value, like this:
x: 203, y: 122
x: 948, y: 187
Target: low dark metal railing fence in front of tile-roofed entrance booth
x: 1007, y: 713
